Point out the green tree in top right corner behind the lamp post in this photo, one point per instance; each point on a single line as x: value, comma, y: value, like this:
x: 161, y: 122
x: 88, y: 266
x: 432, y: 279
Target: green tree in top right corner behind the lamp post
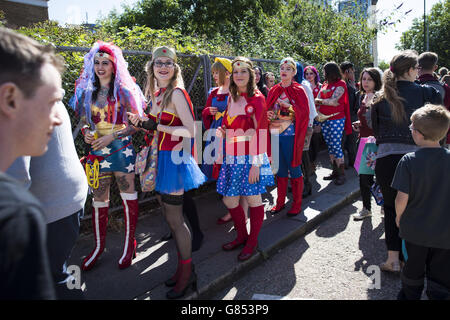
x: 438, y: 25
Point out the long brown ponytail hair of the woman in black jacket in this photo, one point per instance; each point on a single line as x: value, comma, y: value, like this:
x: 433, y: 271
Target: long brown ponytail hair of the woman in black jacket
x: 400, y: 64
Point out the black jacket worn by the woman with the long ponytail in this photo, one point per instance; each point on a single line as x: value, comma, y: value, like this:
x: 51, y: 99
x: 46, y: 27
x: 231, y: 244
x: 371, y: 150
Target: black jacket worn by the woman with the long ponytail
x: 416, y: 96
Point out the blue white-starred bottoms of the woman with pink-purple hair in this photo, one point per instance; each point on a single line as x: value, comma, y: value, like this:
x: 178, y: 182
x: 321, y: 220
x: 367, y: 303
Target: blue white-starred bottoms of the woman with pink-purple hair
x: 119, y: 156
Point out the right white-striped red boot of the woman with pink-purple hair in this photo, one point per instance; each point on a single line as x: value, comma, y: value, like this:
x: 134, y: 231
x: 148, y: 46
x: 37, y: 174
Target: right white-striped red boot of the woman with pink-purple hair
x: 131, y: 211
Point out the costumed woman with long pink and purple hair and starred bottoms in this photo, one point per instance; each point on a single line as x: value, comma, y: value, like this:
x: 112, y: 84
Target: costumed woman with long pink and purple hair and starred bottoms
x: 104, y: 93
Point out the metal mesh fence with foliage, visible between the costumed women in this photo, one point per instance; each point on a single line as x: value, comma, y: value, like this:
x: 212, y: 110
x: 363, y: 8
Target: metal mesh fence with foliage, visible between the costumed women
x: 196, y: 71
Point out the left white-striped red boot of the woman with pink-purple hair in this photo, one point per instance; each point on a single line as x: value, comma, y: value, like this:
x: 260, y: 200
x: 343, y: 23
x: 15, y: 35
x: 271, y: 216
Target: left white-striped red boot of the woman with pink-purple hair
x: 99, y: 223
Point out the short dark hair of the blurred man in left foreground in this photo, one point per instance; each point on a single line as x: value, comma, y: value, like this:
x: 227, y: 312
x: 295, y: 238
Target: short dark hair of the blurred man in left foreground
x: 21, y: 59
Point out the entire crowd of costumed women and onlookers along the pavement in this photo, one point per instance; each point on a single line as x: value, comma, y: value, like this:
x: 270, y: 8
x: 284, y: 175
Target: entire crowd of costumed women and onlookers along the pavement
x: 259, y: 134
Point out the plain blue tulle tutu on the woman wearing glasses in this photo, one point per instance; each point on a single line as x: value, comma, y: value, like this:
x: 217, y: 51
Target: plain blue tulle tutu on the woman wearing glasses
x: 177, y: 171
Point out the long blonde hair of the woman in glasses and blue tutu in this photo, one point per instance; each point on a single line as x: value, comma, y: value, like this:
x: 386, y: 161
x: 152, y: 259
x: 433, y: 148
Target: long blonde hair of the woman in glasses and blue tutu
x: 150, y: 88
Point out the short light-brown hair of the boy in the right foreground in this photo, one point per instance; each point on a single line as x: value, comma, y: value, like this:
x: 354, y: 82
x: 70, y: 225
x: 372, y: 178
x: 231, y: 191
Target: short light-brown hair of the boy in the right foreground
x: 432, y: 121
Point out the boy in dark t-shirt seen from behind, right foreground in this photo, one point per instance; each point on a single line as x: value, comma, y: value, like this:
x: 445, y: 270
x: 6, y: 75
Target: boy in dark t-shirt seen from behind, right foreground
x: 422, y: 205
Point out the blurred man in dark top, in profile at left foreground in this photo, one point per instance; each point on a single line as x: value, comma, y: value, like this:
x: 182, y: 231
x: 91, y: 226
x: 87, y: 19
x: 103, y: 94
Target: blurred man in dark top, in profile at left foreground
x: 30, y: 87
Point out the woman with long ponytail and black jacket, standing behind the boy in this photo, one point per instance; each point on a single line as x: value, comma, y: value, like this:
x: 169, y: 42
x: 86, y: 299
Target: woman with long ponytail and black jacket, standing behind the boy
x: 390, y: 114
